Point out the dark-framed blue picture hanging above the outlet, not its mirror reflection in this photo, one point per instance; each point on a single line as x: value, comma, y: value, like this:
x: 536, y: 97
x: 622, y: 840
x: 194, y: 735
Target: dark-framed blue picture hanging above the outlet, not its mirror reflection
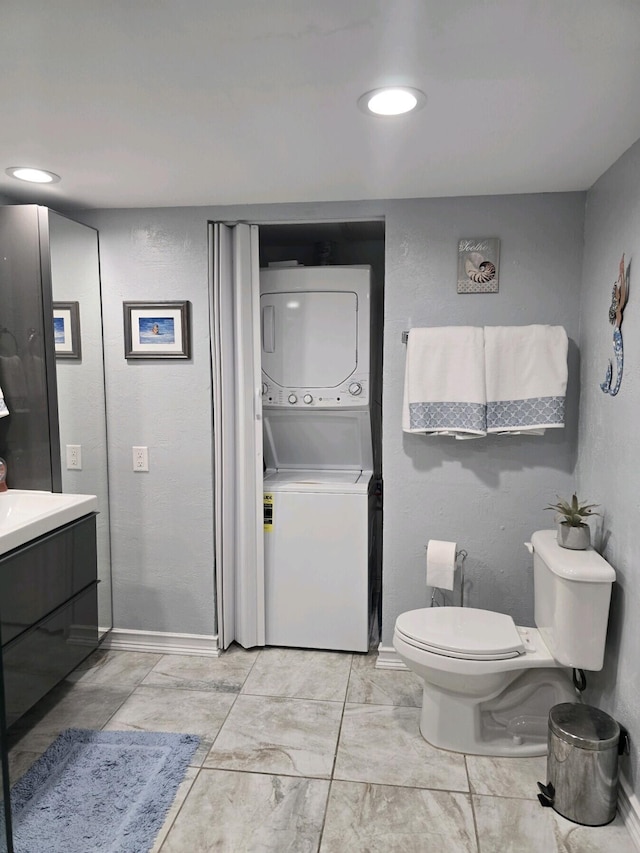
x: 157, y: 330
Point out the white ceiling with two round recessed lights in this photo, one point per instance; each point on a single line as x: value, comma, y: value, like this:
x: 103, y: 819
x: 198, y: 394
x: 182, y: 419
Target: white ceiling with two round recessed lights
x: 139, y: 103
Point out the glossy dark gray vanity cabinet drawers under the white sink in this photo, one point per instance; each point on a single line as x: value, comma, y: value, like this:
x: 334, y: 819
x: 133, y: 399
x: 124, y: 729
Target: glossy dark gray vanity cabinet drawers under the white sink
x: 48, y: 610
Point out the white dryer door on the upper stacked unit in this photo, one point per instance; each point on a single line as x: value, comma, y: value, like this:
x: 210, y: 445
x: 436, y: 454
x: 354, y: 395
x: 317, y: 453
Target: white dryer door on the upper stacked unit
x: 309, y: 339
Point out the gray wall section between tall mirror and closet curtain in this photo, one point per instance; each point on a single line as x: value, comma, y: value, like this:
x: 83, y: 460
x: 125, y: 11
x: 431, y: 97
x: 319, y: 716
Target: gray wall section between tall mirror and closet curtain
x: 161, y: 521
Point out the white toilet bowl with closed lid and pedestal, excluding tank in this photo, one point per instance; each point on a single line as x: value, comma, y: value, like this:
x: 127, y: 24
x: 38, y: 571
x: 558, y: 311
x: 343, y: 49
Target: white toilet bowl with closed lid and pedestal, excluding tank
x: 488, y: 684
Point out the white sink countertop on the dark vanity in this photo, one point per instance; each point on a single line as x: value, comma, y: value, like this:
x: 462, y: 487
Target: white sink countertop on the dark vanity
x: 26, y: 514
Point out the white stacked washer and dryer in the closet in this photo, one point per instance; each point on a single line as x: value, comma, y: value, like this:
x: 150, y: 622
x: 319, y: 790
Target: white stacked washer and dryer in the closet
x: 319, y: 488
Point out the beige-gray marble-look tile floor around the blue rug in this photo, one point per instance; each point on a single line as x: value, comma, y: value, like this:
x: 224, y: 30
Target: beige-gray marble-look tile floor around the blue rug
x: 306, y: 751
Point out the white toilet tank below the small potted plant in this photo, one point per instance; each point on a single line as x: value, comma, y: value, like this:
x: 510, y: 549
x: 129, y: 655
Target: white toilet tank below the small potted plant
x: 572, y: 596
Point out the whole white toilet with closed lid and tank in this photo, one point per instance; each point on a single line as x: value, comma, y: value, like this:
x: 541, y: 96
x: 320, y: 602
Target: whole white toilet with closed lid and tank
x: 488, y: 683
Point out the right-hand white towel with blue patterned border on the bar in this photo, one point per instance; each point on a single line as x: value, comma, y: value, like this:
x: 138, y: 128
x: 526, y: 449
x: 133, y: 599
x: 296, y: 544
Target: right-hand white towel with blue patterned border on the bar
x: 526, y: 369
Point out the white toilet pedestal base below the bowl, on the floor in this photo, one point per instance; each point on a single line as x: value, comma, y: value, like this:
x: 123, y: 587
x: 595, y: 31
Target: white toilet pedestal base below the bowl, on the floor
x: 513, y: 723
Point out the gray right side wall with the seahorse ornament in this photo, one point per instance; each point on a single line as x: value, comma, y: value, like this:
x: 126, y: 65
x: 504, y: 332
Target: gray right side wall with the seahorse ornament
x: 608, y: 463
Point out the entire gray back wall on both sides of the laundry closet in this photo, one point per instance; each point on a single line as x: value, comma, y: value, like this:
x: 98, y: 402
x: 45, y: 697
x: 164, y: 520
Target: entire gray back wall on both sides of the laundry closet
x: 488, y: 495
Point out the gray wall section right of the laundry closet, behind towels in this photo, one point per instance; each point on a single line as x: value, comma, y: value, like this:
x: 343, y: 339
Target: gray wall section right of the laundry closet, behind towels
x: 488, y: 494
